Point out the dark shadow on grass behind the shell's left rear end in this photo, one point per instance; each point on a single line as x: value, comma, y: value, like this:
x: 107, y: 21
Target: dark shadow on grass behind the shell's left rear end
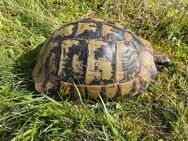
x: 24, y: 66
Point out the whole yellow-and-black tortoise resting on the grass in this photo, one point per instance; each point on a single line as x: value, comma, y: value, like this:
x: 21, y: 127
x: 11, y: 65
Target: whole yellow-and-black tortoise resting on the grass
x: 93, y: 57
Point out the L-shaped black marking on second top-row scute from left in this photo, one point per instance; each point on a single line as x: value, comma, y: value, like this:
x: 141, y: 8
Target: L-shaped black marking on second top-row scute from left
x: 89, y: 34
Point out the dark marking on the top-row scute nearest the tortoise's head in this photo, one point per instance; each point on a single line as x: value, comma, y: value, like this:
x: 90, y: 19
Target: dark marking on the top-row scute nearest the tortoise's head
x: 136, y: 42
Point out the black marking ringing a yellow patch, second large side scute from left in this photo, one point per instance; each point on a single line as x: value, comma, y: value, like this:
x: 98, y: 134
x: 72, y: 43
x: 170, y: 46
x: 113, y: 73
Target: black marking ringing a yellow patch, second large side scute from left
x: 68, y: 74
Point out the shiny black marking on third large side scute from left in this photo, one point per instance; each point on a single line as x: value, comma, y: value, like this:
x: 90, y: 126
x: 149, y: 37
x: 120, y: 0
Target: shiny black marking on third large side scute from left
x: 107, y: 52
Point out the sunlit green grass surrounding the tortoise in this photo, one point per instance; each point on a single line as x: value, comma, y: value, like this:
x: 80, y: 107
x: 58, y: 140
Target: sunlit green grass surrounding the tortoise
x: 160, y: 114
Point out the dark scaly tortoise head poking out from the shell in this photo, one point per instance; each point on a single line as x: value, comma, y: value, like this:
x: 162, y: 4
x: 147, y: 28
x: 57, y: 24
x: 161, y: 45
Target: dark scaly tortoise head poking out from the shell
x: 161, y: 60
